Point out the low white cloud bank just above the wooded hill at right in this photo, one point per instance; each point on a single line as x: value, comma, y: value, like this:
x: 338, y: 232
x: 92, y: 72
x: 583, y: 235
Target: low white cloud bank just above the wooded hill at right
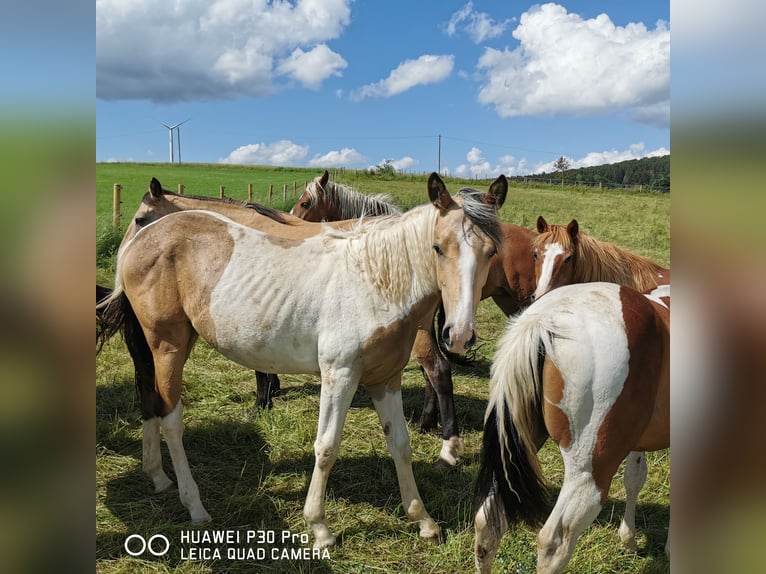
x: 477, y: 166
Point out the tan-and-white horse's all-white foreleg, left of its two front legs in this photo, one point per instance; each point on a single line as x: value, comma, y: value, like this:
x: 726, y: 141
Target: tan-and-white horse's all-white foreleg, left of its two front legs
x: 335, y: 400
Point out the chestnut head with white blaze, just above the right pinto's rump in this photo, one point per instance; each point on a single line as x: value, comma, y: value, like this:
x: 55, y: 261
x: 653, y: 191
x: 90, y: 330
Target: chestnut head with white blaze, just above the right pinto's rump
x: 555, y: 253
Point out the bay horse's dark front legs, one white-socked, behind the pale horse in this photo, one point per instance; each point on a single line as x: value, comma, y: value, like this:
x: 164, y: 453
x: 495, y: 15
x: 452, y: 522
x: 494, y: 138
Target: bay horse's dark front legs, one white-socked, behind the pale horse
x: 438, y: 374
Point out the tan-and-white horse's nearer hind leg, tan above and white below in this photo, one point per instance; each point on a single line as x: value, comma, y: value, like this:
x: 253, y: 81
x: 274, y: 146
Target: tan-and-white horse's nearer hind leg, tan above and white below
x: 169, y: 360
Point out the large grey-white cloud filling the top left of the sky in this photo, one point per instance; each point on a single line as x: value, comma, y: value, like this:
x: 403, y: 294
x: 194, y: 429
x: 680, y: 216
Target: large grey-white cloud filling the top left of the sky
x: 222, y: 49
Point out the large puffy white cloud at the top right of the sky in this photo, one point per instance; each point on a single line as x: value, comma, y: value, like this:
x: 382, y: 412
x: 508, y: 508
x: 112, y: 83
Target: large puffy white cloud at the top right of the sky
x: 566, y: 64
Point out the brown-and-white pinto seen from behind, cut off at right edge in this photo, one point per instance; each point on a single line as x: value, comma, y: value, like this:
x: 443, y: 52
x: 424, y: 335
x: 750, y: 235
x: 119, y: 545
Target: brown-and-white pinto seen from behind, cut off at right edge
x: 587, y: 365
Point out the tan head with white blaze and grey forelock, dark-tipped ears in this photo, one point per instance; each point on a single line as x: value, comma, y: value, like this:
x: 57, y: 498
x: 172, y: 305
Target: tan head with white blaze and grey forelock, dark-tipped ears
x: 466, y: 236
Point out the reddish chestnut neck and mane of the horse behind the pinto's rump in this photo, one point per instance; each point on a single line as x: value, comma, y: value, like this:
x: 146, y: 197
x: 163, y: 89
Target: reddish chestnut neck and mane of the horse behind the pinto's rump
x: 600, y: 261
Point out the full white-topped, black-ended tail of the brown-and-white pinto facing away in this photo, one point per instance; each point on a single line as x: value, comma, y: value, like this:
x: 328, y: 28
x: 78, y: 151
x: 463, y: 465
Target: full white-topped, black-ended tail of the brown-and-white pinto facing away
x: 509, y: 467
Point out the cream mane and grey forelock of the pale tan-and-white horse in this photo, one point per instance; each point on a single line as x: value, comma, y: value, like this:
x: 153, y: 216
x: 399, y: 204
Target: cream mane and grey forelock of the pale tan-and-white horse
x: 396, y: 252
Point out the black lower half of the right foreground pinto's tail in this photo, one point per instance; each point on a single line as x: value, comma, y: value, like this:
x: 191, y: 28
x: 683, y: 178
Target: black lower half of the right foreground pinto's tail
x: 522, y: 495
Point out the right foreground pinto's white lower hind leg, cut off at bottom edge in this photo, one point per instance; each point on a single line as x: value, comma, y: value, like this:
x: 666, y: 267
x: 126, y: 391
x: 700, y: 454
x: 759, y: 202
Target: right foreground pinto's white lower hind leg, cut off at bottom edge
x: 578, y: 504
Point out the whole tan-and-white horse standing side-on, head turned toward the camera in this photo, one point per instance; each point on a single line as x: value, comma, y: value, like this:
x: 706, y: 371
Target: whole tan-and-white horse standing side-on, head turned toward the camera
x: 193, y: 273
